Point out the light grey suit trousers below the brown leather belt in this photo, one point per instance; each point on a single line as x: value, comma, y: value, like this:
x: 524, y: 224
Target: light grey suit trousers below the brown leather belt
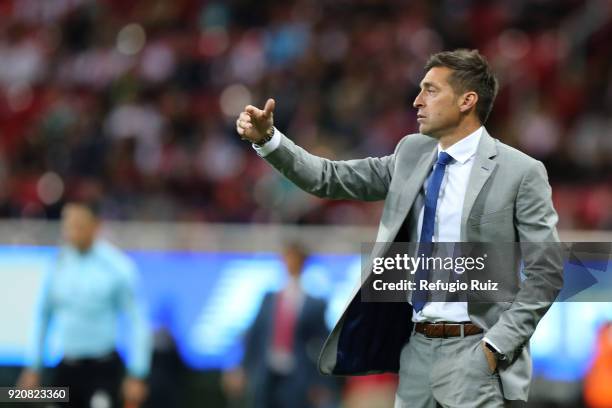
x: 447, y: 372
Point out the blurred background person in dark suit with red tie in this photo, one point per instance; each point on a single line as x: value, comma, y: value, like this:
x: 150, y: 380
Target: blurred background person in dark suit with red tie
x: 279, y: 368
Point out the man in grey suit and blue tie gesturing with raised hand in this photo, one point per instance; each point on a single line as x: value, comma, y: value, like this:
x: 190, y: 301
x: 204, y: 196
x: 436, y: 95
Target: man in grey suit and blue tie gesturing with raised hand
x: 452, y: 182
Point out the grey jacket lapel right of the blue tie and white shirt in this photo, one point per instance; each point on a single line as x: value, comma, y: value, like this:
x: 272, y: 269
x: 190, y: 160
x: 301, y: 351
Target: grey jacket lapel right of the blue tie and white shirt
x: 481, y: 171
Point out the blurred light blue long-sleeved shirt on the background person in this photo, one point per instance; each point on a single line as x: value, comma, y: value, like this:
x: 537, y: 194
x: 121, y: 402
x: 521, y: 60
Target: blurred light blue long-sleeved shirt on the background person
x: 86, y: 293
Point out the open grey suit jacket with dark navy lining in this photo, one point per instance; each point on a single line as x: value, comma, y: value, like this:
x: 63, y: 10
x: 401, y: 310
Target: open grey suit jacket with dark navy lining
x: 508, y: 199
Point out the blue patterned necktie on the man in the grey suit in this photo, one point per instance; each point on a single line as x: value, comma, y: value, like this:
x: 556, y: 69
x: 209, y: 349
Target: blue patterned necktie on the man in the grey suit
x: 419, y: 297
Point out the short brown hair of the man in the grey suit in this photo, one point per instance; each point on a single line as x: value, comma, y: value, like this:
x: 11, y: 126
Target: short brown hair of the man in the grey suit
x: 471, y: 72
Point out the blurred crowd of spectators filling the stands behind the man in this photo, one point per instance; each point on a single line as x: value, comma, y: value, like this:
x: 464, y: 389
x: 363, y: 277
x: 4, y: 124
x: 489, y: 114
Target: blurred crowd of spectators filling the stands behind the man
x: 134, y: 104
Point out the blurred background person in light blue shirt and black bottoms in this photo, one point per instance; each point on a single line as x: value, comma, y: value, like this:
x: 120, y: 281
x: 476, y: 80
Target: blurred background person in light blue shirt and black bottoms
x: 90, y: 285
